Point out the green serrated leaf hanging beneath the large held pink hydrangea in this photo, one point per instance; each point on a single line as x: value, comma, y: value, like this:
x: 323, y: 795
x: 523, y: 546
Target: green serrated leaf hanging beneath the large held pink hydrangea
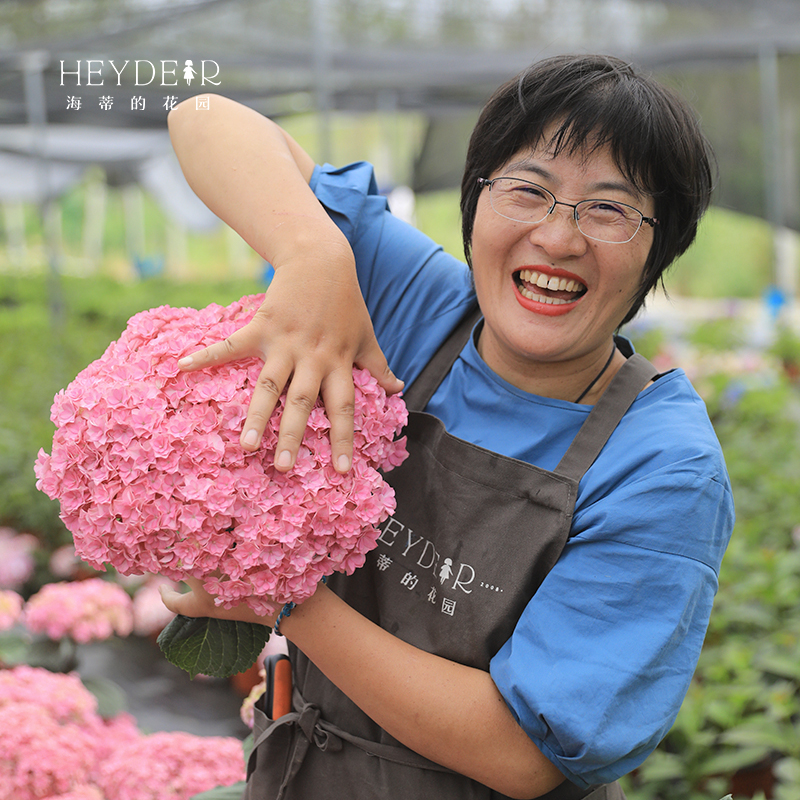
x: 218, y: 648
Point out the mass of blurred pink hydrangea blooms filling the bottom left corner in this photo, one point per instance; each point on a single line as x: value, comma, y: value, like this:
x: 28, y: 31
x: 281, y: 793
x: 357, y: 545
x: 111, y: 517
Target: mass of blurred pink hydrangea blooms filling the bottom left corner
x: 54, y: 744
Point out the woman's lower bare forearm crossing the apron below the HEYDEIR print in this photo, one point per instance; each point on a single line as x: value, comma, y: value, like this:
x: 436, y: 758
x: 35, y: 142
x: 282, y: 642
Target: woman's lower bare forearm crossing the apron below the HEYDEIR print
x: 447, y: 712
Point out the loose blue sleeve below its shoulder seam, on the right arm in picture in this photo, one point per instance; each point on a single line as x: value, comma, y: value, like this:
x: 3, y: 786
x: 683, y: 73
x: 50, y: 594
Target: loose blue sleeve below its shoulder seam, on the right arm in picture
x: 601, y: 659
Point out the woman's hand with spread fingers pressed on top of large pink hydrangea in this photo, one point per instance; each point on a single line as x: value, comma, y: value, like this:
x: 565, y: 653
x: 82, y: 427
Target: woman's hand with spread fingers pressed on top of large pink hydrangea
x: 312, y: 327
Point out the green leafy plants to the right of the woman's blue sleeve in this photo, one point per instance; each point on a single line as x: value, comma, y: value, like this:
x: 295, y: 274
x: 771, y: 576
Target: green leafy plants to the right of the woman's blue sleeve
x: 743, y: 707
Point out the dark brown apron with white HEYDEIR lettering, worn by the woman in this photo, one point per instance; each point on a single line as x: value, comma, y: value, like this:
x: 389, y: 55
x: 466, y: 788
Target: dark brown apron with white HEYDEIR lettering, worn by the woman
x: 473, y: 537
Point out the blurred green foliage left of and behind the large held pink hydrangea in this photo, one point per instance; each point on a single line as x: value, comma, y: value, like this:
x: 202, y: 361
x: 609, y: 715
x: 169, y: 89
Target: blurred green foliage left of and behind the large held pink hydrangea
x: 49, y: 331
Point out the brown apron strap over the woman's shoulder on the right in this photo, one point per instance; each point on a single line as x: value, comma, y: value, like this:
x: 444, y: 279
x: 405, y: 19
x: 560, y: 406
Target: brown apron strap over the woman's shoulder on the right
x: 632, y: 377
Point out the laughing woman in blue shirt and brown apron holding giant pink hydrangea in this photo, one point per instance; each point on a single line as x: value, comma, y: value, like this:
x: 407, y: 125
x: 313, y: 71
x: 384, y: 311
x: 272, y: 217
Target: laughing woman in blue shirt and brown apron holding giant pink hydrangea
x: 498, y: 641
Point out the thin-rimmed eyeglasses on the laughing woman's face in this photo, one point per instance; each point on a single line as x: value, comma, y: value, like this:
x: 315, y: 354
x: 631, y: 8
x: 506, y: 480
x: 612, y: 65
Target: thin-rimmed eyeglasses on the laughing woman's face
x: 603, y: 220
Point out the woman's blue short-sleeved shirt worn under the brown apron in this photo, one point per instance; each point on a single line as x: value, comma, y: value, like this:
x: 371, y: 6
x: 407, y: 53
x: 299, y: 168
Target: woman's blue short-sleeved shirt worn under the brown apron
x: 603, y: 654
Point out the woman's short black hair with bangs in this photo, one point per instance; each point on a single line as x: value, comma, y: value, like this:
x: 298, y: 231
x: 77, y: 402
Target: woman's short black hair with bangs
x: 596, y: 102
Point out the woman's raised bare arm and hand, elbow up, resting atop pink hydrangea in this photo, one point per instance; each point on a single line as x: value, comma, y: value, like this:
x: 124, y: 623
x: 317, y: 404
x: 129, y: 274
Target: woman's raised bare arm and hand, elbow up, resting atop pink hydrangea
x: 313, y: 325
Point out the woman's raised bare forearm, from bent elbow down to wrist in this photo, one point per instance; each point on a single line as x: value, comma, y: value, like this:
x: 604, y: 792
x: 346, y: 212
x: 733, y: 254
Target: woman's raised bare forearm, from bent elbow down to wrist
x: 254, y: 177
